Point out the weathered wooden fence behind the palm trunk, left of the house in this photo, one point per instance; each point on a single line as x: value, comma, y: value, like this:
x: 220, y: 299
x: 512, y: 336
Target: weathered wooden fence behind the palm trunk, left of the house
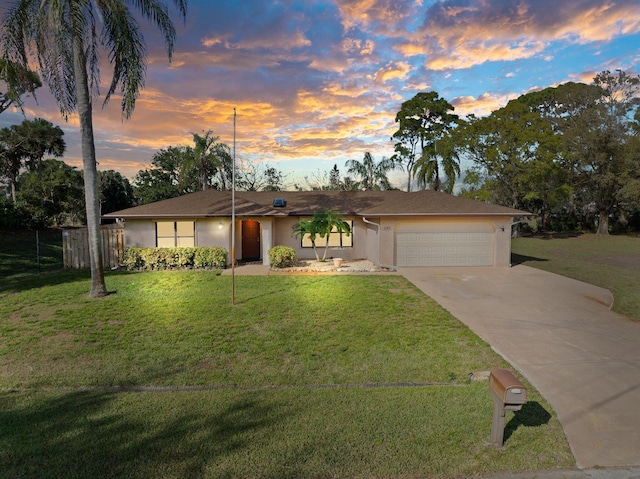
x: 75, y: 247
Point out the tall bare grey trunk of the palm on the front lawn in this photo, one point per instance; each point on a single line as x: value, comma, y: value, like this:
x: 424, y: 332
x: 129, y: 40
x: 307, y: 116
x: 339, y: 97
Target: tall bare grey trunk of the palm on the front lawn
x: 91, y: 190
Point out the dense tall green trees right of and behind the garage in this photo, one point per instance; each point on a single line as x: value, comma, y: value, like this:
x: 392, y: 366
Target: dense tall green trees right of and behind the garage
x: 570, y: 153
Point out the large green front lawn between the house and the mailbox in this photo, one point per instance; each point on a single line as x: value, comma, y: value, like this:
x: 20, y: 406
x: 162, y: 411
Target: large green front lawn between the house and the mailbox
x: 306, y: 376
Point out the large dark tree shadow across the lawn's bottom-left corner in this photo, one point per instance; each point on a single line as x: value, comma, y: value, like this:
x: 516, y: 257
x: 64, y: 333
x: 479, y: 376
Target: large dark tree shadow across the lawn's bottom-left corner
x: 94, y: 434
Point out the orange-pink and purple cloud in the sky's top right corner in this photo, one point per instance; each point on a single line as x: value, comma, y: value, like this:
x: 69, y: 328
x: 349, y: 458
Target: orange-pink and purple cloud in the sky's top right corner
x: 454, y: 36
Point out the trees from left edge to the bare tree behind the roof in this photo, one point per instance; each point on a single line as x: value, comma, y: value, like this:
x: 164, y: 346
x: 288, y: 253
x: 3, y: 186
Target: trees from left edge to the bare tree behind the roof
x: 48, y: 192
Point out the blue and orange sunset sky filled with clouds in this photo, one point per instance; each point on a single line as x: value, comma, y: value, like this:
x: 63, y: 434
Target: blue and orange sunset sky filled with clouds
x: 318, y: 83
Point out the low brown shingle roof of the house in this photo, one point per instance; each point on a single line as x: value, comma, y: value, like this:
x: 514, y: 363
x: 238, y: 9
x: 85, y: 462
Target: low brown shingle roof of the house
x: 304, y: 203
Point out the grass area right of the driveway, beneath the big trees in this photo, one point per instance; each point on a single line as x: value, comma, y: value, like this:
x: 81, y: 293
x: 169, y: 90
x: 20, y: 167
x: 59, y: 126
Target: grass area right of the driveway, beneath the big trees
x: 612, y: 262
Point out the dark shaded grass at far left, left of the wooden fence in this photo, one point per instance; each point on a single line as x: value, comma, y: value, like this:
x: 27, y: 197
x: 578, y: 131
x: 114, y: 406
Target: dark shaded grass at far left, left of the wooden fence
x: 19, y: 254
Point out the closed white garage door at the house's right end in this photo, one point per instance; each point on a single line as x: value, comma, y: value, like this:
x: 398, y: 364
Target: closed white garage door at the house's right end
x: 439, y: 247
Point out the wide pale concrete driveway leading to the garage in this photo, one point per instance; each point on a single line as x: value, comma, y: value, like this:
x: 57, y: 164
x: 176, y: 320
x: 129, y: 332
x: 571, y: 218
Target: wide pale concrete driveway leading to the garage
x: 560, y: 334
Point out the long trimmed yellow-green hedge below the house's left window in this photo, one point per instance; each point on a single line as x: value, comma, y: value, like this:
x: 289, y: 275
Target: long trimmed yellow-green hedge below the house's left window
x: 173, y: 258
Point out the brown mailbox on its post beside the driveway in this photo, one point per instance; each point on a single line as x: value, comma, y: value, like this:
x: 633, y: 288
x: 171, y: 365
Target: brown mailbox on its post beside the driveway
x: 509, y: 394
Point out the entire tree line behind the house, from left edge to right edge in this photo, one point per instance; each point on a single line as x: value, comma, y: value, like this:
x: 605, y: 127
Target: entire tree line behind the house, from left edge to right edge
x: 569, y: 153
